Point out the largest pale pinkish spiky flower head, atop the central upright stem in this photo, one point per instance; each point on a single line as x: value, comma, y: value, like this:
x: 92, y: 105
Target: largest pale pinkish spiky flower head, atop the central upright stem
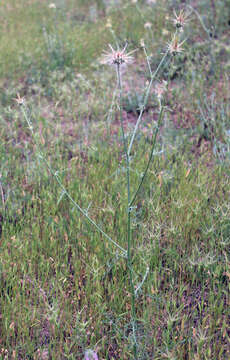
x: 117, y: 57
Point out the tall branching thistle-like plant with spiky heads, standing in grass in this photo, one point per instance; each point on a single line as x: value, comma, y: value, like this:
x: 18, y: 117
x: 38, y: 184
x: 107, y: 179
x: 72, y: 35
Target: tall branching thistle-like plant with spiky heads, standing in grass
x: 118, y: 58
